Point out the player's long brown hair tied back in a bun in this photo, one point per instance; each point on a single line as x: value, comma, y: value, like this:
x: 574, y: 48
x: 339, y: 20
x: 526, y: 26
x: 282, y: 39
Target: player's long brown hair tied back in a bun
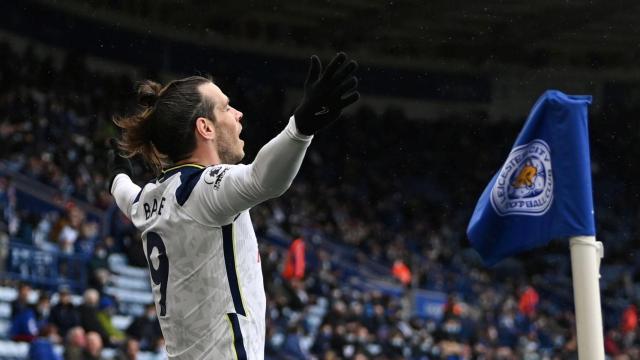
x: 162, y: 130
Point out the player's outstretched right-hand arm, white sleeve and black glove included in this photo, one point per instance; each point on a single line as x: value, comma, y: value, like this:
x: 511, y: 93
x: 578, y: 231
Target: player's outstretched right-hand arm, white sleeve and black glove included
x: 237, y: 188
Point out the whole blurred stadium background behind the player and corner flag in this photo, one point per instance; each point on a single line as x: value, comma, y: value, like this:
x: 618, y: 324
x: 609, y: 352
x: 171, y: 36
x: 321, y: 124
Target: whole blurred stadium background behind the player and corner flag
x: 365, y: 257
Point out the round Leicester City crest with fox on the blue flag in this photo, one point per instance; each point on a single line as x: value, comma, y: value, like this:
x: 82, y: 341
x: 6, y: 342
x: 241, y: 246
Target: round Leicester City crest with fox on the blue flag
x: 524, y: 185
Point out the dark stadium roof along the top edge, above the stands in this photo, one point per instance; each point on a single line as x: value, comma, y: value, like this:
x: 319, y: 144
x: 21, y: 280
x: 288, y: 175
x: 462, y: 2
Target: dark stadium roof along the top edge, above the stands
x: 590, y: 33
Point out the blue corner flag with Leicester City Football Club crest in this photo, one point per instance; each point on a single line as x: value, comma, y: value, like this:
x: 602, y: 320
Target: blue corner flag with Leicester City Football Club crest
x: 543, y: 190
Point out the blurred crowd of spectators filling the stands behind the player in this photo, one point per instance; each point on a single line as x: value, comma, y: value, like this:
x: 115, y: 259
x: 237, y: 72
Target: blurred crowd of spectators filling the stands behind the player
x: 399, y: 192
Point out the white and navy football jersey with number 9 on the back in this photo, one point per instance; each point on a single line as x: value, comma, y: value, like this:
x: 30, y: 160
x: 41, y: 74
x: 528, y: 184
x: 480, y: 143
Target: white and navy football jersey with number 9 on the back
x: 202, y: 251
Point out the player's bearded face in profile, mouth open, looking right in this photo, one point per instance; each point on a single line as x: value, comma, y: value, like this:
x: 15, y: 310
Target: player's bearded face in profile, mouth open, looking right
x: 227, y: 126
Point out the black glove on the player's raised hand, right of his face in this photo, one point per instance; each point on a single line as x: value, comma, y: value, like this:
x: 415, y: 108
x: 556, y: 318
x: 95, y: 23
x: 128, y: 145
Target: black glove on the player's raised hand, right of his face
x: 326, y: 93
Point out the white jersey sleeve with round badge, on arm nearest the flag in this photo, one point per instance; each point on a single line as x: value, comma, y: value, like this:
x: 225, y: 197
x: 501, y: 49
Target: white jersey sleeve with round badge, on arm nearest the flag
x: 226, y: 190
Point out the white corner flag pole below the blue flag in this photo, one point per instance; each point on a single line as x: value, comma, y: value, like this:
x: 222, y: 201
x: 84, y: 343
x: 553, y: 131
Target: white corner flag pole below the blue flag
x: 586, y: 253
